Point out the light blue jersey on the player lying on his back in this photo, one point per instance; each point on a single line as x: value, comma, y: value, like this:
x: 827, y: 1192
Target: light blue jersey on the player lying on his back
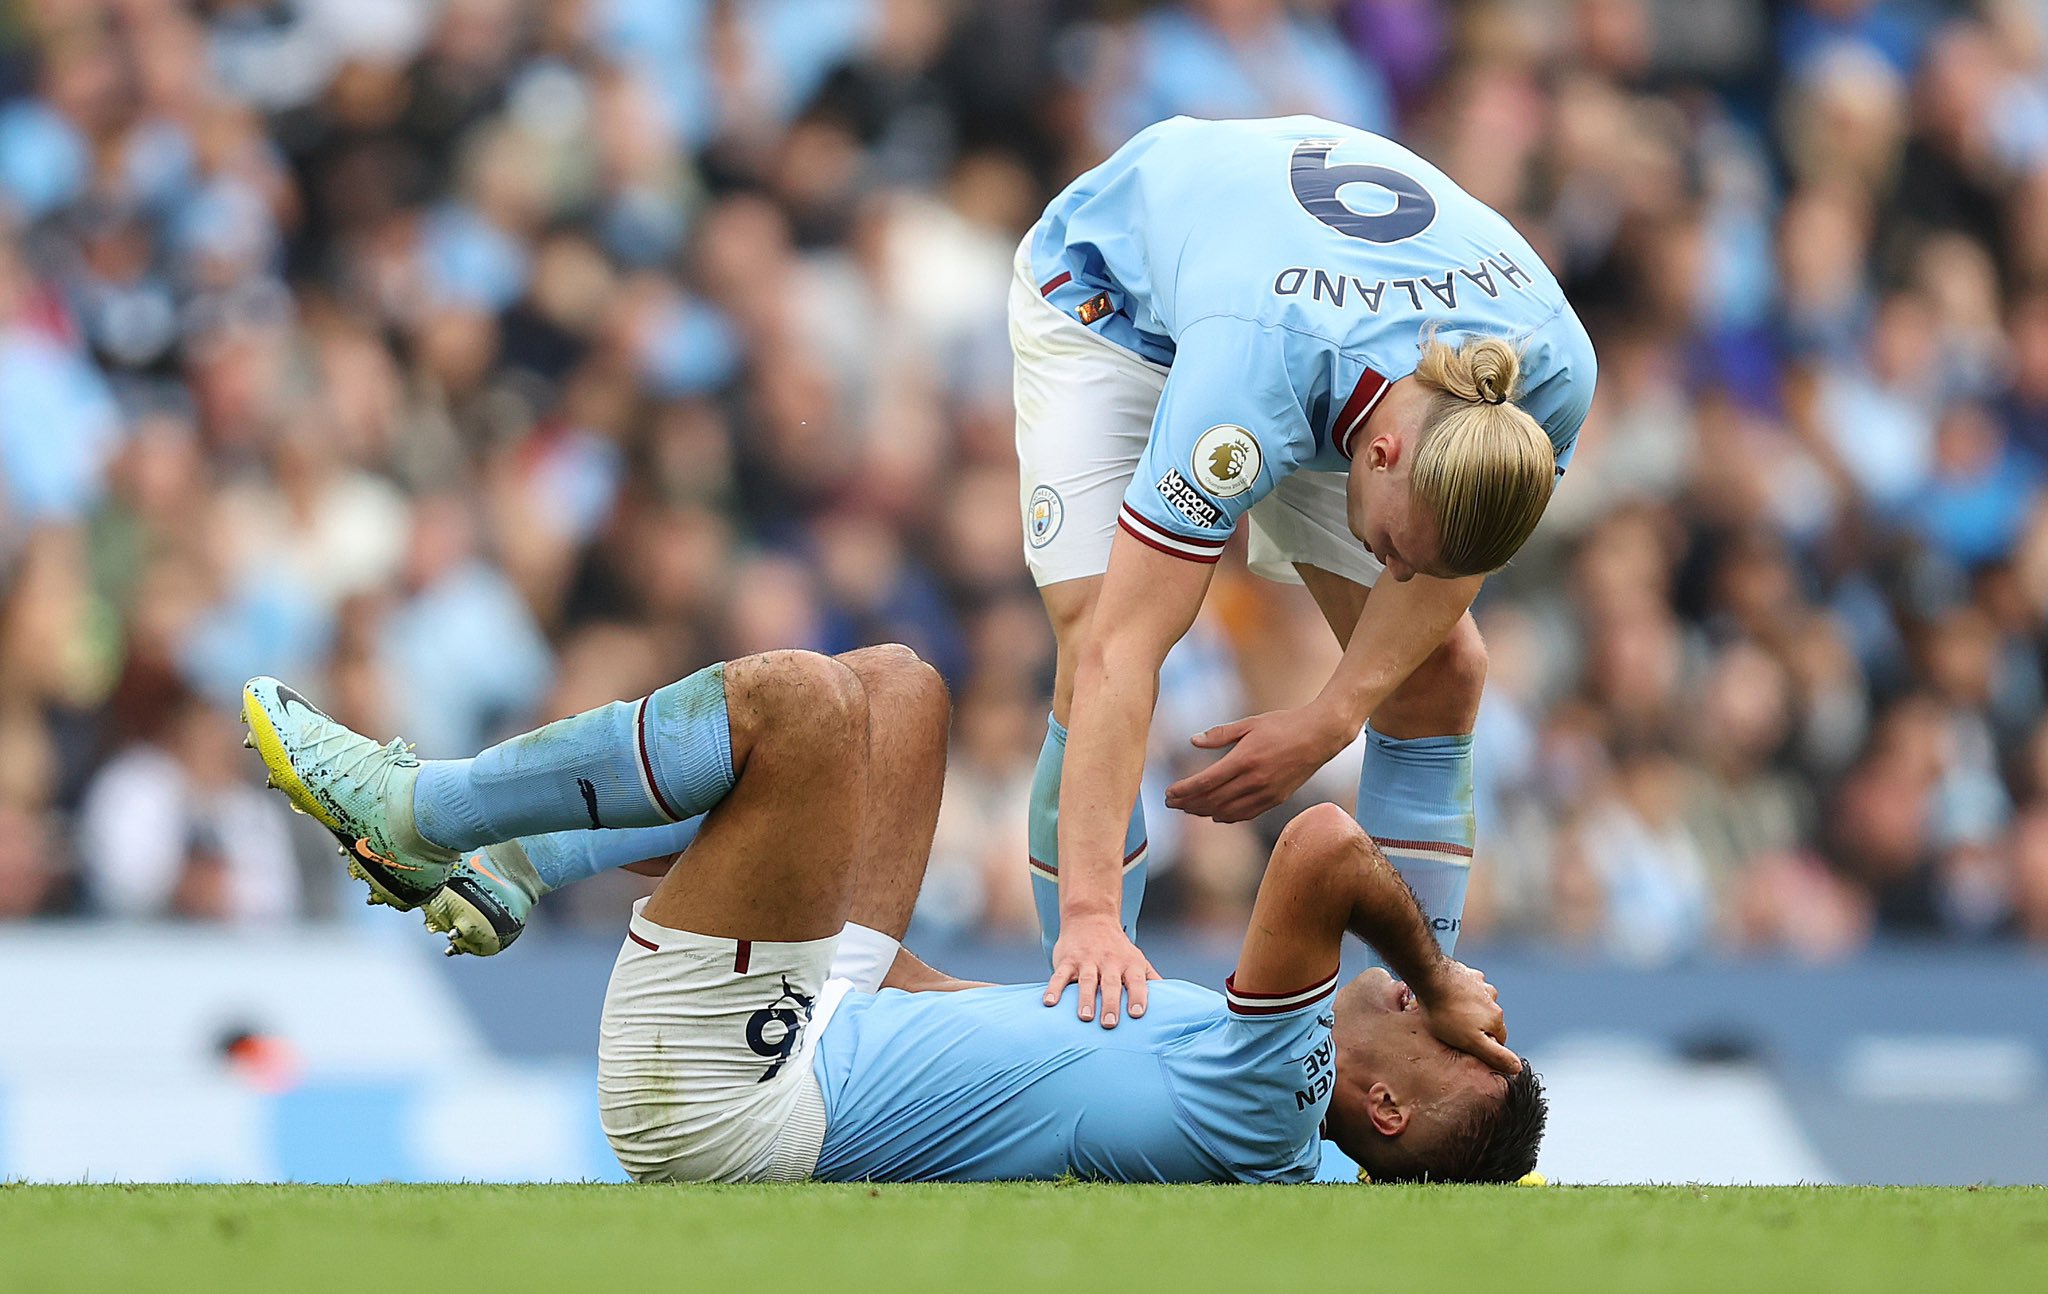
x: 994, y: 1086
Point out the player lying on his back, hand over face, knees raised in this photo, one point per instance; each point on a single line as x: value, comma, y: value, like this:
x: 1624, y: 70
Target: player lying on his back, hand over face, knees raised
x: 751, y: 1035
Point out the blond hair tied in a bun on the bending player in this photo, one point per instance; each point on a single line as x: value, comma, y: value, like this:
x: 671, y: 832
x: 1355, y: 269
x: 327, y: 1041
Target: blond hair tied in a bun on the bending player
x: 1484, y: 468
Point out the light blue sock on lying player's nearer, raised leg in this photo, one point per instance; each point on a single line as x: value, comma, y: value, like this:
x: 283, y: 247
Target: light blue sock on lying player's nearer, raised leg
x: 630, y: 765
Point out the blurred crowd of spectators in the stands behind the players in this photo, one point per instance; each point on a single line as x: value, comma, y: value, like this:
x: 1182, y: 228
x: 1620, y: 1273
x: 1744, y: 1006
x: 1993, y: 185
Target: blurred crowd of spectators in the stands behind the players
x: 478, y: 361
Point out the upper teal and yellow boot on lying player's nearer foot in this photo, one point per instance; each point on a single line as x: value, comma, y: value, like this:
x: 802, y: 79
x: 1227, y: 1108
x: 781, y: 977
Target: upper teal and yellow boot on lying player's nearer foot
x: 353, y: 787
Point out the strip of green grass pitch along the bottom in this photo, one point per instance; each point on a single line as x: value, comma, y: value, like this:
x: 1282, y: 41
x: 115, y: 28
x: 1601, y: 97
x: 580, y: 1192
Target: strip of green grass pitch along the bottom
x: 1066, y: 1238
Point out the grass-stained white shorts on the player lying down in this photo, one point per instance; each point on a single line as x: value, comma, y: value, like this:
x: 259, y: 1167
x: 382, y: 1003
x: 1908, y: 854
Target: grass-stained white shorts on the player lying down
x: 706, y: 1051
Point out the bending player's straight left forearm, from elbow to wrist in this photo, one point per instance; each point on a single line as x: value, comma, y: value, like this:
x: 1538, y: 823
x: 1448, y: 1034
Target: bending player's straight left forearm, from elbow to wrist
x: 1115, y: 691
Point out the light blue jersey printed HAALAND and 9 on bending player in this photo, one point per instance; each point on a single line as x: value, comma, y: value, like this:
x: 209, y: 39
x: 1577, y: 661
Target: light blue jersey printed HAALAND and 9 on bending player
x: 1287, y: 271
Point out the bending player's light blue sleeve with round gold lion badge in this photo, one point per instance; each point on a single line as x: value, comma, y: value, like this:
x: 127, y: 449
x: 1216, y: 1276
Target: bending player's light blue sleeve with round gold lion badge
x: 1232, y: 423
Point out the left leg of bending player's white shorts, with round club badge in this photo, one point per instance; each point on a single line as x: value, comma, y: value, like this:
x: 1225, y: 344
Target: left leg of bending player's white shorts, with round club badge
x: 1084, y: 415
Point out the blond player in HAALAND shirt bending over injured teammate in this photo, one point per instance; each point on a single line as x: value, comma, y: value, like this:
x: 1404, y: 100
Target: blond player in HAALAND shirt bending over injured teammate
x: 1306, y: 325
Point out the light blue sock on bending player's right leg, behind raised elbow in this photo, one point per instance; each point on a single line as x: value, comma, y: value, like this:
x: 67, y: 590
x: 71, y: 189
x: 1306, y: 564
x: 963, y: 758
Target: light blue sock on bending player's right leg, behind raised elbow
x: 1416, y: 802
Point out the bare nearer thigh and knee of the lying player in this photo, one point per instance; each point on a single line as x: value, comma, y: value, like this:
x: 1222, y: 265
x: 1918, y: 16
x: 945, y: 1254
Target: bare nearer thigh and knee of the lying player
x: 775, y: 859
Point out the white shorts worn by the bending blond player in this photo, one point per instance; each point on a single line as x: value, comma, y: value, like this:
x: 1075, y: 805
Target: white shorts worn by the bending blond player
x: 1084, y: 415
